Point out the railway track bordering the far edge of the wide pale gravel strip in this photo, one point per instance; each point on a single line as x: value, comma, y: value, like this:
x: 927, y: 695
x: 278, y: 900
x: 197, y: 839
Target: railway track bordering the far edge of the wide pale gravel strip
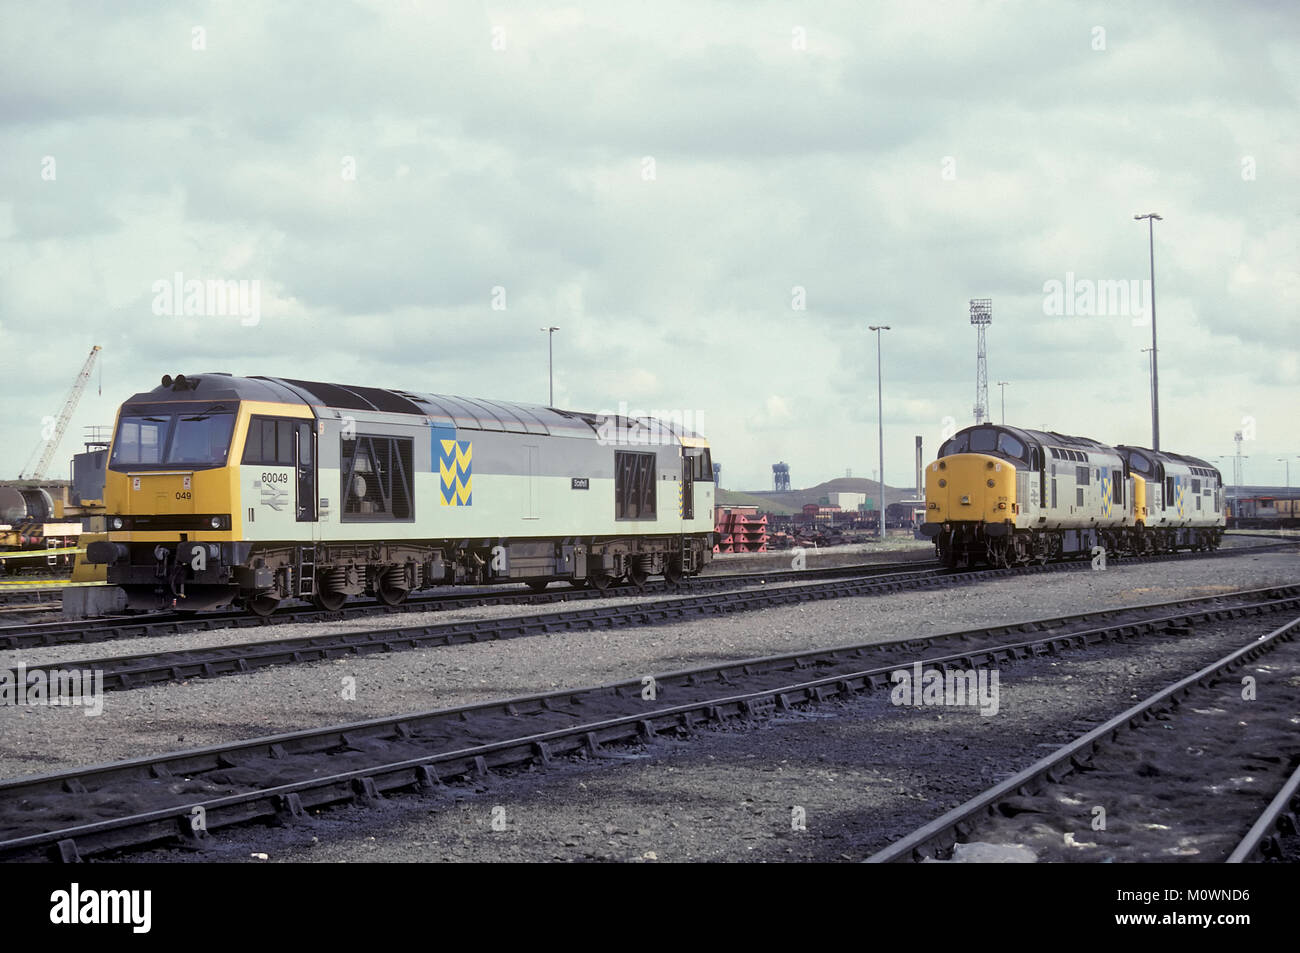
x: 153, y: 669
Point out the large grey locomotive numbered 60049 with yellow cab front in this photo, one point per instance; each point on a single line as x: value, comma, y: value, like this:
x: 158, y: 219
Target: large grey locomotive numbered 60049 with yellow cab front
x: 253, y: 491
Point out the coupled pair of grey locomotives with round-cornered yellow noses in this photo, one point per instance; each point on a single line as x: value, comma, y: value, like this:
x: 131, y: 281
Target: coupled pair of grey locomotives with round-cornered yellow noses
x: 1006, y: 496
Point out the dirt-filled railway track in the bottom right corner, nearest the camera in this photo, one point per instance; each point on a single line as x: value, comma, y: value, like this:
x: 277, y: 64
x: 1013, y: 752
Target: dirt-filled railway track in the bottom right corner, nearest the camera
x: 1185, y: 773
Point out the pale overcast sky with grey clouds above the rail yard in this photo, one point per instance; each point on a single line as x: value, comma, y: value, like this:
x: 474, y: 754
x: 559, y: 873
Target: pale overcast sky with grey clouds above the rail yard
x: 713, y: 202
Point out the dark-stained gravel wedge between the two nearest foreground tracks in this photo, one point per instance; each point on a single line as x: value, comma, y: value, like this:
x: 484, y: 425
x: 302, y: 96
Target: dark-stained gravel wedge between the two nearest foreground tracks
x: 833, y: 783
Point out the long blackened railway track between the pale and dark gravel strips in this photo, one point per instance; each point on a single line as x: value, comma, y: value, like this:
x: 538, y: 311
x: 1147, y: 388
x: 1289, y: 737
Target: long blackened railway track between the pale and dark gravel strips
x: 187, y: 796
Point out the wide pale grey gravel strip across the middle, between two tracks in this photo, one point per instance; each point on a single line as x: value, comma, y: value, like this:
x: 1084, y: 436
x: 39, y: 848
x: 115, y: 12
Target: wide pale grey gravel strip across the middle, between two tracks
x: 168, y: 718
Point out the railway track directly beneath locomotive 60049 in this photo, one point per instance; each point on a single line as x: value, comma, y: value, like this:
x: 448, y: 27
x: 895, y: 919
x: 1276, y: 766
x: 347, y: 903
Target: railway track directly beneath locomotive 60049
x: 88, y: 631
